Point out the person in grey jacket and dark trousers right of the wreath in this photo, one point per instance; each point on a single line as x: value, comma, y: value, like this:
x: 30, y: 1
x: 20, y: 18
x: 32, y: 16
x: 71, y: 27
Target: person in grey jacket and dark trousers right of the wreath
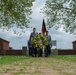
x: 49, y: 44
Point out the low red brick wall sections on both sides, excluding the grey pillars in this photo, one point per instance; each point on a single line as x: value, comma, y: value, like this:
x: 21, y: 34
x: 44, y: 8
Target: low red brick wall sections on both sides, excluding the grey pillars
x: 19, y: 52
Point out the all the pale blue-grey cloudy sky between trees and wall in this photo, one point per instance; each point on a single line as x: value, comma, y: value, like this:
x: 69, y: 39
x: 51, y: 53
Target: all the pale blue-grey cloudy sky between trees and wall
x: 64, y: 40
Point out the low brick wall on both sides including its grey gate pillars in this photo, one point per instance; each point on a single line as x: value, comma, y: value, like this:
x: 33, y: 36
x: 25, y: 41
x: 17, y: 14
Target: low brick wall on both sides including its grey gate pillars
x: 24, y: 51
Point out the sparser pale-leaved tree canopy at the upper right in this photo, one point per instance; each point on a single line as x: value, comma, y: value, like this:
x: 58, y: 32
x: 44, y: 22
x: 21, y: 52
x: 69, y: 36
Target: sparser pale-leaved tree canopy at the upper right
x: 61, y: 13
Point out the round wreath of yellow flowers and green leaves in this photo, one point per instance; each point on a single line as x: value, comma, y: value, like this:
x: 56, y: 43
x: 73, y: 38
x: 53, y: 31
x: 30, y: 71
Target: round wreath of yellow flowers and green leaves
x: 39, y: 42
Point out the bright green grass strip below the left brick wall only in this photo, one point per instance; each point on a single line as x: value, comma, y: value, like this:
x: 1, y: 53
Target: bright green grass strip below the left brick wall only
x: 10, y: 59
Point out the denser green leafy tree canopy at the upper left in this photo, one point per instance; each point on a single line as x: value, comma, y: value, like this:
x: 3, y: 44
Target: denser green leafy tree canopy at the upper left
x: 15, y: 12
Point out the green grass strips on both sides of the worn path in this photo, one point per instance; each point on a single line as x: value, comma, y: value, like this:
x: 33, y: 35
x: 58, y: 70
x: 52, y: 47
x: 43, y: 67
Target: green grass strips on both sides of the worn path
x: 10, y: 59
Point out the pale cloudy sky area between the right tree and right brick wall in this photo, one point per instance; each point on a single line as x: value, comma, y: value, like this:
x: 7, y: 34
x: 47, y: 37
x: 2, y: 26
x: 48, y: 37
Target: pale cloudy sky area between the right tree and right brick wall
x: 64, y: 40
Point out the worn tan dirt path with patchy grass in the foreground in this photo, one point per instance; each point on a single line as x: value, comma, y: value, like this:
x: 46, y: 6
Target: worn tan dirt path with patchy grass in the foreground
x: 39, y: 66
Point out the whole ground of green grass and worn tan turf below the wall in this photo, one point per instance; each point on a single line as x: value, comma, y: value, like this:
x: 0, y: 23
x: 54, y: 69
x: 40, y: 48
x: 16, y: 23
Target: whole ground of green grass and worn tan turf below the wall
x: 25, y: 65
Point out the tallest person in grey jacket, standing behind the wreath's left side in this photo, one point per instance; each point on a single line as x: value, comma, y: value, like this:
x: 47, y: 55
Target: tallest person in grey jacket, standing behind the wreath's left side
x: 32, y: 35
